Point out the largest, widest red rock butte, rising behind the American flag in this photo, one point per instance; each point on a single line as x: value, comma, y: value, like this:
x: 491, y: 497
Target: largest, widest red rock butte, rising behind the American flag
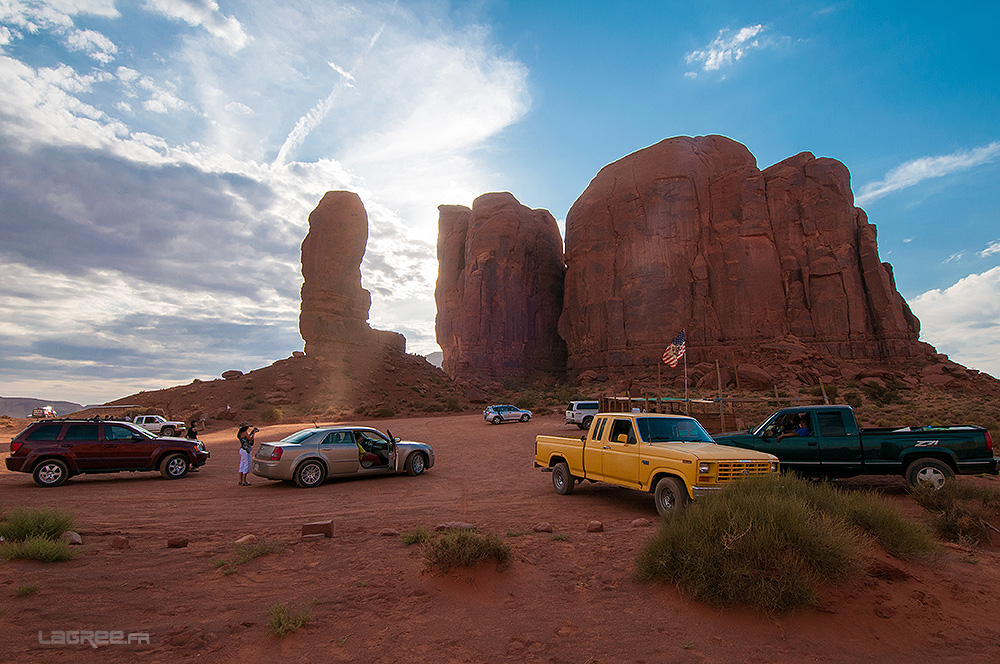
x: 690, y: 234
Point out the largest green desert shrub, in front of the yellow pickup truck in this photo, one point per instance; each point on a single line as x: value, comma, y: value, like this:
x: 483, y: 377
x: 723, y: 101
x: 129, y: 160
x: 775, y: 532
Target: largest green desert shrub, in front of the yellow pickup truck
x: 772, y: 542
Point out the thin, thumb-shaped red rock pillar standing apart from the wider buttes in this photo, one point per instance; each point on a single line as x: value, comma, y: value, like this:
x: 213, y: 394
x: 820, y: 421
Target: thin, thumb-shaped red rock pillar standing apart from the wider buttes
x: 335, y: 307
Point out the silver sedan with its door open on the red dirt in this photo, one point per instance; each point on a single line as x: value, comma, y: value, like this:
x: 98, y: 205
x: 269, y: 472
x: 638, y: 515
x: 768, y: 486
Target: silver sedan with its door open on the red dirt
x: 310, y: 456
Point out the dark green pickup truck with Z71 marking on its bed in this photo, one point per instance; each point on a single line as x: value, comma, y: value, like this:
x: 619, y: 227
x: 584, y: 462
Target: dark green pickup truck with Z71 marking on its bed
x: 825, y: 441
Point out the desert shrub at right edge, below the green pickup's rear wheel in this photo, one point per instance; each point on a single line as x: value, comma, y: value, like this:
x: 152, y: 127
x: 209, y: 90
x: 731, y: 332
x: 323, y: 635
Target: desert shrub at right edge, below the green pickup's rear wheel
x: 959, y: 510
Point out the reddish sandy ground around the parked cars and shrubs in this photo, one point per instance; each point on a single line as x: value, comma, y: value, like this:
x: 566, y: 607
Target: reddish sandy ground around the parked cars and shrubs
x: 571, y: 600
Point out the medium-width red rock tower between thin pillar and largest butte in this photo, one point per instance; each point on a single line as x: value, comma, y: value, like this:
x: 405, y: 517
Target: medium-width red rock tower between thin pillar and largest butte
x: 499, y: 288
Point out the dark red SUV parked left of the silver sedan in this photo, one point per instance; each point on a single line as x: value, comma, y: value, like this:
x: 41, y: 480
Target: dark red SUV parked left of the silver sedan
x: 55, y: 450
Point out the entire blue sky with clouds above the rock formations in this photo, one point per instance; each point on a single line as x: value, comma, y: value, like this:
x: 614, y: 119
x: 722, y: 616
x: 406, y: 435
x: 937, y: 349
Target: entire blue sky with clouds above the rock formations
x: 159, y: 158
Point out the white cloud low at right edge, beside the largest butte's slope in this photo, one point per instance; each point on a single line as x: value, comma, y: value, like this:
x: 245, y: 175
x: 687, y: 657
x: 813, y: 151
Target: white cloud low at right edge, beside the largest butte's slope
x: 963, y: 321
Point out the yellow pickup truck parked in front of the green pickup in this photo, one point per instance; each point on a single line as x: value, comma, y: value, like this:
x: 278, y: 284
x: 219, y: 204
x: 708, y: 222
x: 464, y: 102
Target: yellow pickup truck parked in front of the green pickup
x: 671, y: 456
